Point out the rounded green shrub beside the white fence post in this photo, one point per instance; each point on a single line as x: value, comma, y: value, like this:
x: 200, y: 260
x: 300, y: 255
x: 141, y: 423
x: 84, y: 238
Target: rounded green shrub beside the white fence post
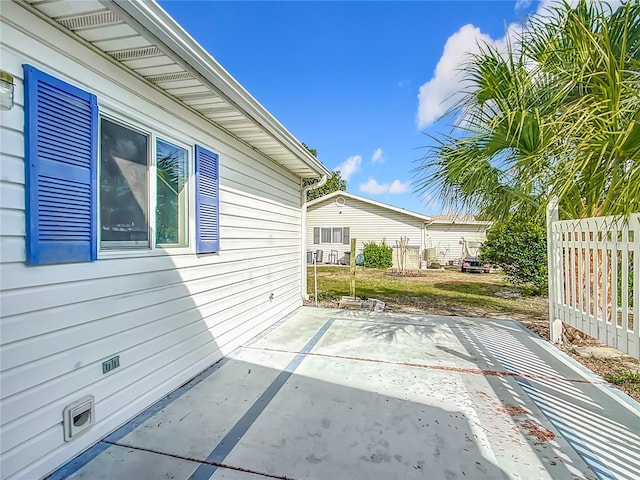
x: 518, y: 245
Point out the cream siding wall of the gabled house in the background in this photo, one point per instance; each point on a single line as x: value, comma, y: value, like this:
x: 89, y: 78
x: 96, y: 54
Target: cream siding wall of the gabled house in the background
x: 367, y: 223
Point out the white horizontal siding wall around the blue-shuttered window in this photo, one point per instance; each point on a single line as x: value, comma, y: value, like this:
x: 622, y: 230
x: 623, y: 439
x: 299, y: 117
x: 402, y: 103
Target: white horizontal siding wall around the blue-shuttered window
x: 167, y: 316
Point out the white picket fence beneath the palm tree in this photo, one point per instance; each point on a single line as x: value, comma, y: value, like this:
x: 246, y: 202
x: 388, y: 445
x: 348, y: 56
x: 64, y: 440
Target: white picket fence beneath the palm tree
x: 594, y: 278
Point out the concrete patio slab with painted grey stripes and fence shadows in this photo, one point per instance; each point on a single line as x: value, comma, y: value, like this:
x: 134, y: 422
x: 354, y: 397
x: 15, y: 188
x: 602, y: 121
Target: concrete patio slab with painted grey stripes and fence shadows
x: 341, y: 395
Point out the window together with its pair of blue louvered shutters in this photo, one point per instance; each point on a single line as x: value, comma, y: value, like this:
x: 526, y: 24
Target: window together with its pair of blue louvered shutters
x: 100, y: 182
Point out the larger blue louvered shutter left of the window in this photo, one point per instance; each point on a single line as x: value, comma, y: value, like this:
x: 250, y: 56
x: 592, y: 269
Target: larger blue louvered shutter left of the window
x: 61, y: 151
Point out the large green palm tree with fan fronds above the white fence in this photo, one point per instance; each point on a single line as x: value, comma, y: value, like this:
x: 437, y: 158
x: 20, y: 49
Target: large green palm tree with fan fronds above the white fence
x: 556, y: 114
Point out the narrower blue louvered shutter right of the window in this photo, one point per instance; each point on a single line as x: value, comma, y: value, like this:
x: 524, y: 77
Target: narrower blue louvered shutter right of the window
x: 207, y: 201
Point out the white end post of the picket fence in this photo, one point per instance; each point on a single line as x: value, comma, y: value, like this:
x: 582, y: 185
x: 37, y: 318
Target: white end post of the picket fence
x: 554, y: 266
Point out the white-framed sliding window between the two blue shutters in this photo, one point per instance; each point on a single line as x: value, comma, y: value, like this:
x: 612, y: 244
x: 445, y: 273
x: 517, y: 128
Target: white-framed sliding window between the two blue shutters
x: 144, y: 188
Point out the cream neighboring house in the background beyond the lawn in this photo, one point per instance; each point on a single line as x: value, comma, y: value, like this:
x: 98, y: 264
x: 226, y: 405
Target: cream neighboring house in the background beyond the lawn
x: 335, y: 218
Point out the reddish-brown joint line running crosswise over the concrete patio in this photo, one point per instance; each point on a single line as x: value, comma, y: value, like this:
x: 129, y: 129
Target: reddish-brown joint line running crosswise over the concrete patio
x: 471, y: 371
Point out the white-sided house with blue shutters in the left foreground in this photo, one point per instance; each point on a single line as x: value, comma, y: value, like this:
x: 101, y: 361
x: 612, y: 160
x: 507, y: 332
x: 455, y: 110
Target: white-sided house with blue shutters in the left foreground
x: 151, y: 221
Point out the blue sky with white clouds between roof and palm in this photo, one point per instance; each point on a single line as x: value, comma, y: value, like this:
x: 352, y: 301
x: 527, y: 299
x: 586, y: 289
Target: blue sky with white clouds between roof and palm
x: 361, y: 82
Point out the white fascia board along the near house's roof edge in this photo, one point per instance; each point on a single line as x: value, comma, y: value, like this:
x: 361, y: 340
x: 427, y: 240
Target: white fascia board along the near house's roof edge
x: 165, y: 31
